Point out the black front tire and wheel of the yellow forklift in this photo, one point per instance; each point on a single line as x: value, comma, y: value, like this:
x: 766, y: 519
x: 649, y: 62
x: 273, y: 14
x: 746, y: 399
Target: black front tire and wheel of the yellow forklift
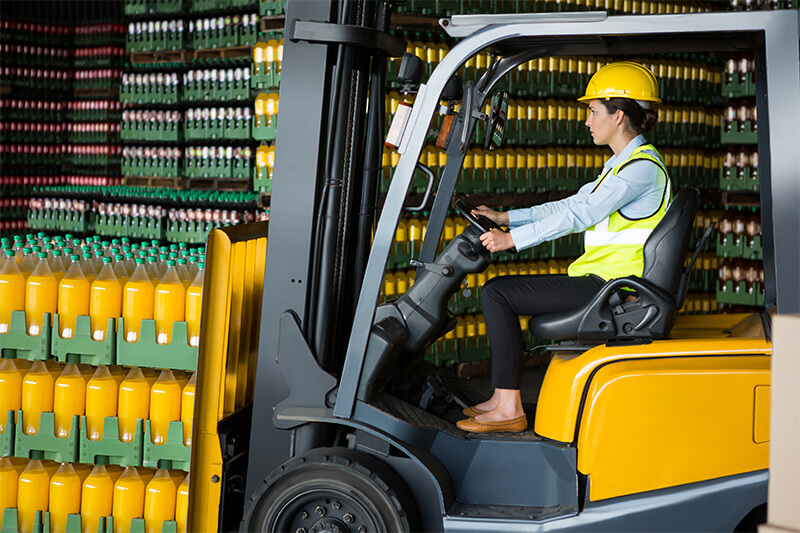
x: 329, y: 490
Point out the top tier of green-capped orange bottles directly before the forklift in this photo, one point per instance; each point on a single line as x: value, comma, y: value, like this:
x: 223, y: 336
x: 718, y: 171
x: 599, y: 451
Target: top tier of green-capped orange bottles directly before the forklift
x: 71, y: 278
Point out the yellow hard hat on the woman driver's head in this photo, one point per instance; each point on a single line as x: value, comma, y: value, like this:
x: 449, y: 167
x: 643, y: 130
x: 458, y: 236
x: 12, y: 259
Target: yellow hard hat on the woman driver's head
x: 623, y: 79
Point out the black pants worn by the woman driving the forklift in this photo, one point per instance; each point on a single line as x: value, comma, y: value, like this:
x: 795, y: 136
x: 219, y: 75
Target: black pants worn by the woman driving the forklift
x: 504, y: 298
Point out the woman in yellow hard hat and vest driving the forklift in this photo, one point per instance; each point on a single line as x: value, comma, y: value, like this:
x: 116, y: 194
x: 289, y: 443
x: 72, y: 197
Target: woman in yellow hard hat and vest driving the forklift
x: 617, y: 212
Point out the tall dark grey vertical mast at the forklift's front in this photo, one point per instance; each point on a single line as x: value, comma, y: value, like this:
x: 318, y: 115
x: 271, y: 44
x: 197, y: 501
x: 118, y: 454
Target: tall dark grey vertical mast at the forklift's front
x: 329, y: 150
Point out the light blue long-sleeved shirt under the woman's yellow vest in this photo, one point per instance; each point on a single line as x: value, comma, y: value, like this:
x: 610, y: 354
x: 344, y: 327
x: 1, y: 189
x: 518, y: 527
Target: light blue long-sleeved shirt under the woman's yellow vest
x: 634, y: 190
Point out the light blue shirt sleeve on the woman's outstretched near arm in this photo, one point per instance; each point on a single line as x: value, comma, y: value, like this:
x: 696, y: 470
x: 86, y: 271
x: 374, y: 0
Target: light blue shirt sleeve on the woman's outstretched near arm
x: 584, y: 209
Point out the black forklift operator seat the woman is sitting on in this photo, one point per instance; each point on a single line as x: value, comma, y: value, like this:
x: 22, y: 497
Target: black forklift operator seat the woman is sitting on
x: 660, y: 291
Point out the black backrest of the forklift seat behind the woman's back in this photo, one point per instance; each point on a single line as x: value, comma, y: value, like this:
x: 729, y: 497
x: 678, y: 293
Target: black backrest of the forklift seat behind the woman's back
x: 666, y: 247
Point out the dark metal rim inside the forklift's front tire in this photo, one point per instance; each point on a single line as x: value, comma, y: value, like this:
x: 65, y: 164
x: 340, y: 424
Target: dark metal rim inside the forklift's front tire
x: 326, y: 510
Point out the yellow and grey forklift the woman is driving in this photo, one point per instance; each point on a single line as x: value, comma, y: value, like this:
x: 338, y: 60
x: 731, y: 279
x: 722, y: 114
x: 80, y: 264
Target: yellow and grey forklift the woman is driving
x: 316, y: 411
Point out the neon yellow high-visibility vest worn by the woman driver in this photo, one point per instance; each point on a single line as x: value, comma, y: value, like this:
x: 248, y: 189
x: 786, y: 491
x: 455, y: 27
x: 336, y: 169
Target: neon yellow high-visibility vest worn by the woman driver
x: 613, y: 248
